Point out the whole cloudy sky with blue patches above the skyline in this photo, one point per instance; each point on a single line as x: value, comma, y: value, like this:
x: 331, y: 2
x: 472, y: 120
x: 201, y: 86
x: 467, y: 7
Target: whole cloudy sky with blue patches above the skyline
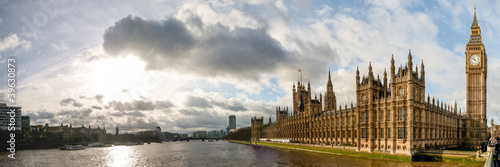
x: 188, y: 65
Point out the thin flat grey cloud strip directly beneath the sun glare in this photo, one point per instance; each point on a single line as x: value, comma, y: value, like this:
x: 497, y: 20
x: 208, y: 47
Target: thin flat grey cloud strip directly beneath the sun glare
x: 141, y: 105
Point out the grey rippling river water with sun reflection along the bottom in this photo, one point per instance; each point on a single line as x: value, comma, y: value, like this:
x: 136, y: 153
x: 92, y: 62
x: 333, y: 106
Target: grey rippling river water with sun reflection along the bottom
x: 194, y: 153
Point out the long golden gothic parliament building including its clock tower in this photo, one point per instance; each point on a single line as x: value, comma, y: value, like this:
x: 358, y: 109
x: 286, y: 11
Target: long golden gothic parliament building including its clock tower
x: 393, y: 116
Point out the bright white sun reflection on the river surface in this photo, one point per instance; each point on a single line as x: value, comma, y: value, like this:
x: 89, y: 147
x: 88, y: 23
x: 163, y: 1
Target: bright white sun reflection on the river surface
x: 122, y: 156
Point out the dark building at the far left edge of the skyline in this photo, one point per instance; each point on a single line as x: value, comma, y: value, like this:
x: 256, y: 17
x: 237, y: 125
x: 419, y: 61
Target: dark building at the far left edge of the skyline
x: 5, y: 117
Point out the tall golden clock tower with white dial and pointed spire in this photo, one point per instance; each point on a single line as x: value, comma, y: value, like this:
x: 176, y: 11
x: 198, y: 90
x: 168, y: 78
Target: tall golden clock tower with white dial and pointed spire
x: 476, y: 73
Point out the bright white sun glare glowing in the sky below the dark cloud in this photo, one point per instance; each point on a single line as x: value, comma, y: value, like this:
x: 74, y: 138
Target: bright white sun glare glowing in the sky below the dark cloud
x: 110, y: 76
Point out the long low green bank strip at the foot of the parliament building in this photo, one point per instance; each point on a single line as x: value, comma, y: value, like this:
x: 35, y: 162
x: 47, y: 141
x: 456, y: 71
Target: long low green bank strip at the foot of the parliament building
x: 375, y: 155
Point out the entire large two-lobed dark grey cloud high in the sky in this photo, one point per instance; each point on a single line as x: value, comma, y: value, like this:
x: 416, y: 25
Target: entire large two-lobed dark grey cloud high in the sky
x: 220, y: 51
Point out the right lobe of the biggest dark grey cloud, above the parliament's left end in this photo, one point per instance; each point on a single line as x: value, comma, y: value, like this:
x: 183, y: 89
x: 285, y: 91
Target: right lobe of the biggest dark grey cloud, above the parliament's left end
x: 241, y: 52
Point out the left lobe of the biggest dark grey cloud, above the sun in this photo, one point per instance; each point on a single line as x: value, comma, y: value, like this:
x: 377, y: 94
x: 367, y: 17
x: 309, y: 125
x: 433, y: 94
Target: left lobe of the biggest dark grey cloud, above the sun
x: 153, y: 40
